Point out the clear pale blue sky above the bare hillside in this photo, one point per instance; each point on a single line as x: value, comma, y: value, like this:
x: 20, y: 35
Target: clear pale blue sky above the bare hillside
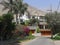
x: 43, y: 4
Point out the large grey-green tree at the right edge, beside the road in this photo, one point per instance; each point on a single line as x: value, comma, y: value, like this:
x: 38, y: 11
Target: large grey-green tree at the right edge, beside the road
x: 53, y: 19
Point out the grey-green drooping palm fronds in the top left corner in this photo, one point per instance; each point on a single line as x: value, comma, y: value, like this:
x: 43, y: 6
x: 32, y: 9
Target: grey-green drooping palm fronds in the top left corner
x: 7, y: 5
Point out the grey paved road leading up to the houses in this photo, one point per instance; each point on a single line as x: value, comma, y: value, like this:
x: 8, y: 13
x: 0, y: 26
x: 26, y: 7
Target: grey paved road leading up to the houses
x: 41, y: 41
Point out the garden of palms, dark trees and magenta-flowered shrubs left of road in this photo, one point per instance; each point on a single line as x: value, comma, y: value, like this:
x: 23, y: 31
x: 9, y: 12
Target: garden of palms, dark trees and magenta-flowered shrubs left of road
x: 10, y: 30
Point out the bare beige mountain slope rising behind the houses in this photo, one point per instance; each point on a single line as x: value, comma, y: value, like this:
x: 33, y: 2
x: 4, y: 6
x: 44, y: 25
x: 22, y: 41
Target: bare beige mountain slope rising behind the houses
x: 34, y: 11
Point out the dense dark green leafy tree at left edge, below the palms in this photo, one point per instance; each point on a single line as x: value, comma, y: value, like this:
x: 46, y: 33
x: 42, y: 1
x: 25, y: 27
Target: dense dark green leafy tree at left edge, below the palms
x: 6, y: 26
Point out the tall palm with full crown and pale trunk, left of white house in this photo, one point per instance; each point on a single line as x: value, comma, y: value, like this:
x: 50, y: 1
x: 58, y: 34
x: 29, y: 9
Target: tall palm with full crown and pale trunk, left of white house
x: 19, y: 8
